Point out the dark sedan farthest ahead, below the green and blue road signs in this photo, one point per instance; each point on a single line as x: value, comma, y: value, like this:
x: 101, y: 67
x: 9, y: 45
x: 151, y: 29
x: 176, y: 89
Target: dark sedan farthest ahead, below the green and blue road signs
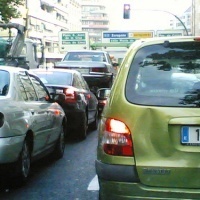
x: 95, y: 66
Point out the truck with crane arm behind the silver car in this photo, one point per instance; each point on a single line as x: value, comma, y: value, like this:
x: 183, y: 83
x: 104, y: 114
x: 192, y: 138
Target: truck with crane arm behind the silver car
x: 17, y: 50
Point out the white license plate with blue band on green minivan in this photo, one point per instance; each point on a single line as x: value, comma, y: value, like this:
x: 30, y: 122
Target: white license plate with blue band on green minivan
x: 190, y: 135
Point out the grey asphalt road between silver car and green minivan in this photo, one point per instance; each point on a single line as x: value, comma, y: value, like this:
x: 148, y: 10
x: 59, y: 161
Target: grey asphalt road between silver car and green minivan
x: 71, y: 178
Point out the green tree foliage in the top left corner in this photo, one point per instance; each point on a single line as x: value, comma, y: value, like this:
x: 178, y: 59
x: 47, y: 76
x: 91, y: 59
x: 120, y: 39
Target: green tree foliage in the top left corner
x: 9, y: 9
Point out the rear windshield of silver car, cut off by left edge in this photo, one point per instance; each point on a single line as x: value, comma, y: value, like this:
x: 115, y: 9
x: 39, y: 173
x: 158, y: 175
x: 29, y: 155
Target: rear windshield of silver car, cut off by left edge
x: 4, y: 82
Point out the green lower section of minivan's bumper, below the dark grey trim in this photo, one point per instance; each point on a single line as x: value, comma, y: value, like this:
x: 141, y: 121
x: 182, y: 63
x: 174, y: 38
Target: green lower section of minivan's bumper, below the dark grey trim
x: 113, y: 190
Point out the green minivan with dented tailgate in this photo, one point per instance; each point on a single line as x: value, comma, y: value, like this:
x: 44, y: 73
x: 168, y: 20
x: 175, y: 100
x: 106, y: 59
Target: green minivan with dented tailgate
x: 149, y: 132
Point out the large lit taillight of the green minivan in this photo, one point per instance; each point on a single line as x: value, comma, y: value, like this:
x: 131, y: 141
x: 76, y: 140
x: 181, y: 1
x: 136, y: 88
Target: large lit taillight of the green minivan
x: 117, y: 139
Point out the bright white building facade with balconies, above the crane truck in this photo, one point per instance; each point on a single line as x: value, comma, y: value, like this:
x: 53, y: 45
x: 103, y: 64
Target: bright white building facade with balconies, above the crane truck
x: 45, y: 18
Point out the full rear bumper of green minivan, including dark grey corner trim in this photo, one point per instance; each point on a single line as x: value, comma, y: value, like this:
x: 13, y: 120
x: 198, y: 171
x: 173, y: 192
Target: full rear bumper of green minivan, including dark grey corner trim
x: 120, y: 182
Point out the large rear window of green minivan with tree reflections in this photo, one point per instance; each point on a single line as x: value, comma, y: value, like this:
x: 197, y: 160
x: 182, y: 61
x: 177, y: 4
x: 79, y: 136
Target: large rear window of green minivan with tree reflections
x: 165, y: 74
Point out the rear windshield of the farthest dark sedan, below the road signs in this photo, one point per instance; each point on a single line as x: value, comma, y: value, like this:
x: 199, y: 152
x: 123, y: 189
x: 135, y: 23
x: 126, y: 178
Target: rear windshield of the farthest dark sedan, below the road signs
x: 85, y: 56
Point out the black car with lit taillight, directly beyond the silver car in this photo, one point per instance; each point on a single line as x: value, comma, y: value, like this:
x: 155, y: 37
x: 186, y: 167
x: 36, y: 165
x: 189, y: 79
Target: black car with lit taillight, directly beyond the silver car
x: 80, y: 105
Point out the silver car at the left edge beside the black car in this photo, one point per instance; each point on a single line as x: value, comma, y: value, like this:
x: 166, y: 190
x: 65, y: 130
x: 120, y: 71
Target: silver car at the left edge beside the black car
x: 32, y: 124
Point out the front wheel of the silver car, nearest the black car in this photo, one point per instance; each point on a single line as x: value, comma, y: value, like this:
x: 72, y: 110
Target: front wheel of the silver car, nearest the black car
x: 60, y: 145
